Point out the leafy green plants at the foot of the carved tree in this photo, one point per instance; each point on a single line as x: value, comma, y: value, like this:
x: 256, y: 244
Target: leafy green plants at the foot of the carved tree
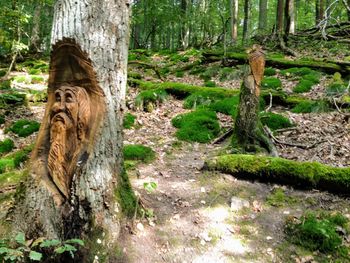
x: 22, y: 250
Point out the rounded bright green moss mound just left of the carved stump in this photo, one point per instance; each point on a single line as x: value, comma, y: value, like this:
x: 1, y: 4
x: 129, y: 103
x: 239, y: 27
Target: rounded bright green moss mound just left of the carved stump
x: 198, y: 126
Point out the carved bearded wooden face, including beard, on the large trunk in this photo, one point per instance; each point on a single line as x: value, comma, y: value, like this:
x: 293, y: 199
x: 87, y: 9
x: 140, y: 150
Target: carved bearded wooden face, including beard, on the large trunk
x: 69, y: 122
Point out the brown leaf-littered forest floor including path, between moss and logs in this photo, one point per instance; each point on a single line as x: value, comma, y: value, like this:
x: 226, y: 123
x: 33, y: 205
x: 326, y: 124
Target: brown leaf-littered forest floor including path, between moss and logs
x: 194, y: 215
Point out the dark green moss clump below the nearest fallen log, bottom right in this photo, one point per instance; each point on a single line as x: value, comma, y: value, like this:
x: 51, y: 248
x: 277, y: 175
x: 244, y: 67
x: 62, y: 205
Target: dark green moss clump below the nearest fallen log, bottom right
x: 317, y: 232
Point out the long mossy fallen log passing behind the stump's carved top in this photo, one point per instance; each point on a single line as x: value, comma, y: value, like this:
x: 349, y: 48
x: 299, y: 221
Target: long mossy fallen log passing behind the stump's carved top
x: 327, y: 66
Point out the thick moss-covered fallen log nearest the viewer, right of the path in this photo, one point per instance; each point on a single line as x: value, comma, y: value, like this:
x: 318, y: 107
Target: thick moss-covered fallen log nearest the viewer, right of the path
x: 303, y: 175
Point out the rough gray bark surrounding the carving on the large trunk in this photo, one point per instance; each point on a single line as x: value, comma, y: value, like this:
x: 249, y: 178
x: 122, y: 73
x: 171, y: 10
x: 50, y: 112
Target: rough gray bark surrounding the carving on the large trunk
x: 101, y: 29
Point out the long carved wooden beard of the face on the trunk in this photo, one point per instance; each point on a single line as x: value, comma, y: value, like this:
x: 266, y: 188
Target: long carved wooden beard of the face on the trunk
x: 63, y: 143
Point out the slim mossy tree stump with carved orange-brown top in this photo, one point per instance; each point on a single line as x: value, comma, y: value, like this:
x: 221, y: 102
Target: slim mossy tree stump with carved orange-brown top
x: 248, y: 132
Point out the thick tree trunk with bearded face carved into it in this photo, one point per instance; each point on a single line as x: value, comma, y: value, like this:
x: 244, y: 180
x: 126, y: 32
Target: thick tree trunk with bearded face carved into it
x: 76, y: 176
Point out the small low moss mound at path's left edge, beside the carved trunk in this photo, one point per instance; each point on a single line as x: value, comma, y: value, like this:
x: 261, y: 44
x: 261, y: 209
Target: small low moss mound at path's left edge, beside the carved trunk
x: 138, y: 152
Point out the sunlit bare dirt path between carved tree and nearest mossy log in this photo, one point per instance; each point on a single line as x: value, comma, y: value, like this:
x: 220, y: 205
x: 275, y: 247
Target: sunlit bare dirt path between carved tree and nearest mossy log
x: 201, y: 216
